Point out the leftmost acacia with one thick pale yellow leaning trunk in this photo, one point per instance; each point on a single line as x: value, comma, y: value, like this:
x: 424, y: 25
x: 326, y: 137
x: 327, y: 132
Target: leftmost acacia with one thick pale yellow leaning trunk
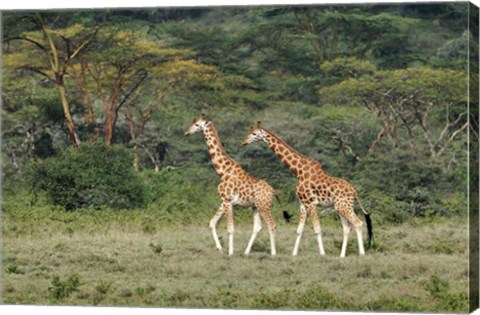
x: 58, y: 48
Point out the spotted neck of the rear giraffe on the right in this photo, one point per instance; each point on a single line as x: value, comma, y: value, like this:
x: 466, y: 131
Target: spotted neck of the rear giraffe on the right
x: 294, y: 160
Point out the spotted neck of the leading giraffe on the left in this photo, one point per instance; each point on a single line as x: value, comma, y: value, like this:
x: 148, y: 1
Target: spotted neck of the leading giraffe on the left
x: 221, y: 161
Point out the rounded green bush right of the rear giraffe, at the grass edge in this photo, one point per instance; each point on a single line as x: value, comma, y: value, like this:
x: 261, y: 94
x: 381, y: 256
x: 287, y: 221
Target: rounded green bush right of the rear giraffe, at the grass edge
x: 400, y: 184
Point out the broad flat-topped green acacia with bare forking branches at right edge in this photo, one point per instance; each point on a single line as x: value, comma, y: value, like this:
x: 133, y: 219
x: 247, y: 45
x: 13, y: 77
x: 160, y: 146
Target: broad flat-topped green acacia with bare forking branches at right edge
x: 418, y: 102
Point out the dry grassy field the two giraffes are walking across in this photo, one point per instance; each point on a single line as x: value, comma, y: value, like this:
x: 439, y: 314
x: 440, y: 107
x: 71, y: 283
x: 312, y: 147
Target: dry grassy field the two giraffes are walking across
x: 125, y: 259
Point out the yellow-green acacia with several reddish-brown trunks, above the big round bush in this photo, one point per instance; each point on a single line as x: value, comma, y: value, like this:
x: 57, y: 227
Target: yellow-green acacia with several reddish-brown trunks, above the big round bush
x: 114, y: 71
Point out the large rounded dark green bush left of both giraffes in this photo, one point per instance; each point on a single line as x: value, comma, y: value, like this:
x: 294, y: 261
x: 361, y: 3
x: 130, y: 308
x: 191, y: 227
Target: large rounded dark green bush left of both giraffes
x: 90, y: 176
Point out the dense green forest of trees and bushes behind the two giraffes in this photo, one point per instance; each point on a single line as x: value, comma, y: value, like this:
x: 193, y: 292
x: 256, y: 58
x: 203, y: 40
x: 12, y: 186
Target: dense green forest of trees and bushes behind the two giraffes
x: 95, y: 102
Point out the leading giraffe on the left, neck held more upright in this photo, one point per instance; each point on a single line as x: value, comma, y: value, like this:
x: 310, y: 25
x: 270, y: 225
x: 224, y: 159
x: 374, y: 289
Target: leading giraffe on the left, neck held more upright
x: 236, y: 187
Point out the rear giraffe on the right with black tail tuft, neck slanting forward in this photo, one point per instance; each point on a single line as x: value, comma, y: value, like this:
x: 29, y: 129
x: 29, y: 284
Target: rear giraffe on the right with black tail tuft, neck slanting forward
x: 316, y: 187
